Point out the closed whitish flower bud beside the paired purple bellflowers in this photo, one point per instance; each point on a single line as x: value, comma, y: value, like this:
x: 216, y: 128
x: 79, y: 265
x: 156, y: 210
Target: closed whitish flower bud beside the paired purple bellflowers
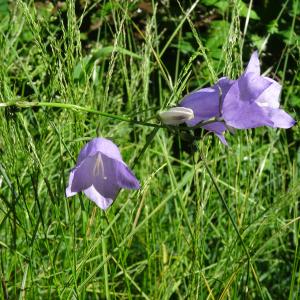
x: 176, y: 115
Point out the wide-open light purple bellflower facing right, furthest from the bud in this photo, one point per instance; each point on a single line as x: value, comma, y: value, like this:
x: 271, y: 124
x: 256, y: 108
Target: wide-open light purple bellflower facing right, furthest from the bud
x: 253, y: 101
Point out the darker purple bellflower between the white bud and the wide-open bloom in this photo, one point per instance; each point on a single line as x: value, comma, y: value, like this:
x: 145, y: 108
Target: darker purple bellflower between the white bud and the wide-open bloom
x: 207, y: 104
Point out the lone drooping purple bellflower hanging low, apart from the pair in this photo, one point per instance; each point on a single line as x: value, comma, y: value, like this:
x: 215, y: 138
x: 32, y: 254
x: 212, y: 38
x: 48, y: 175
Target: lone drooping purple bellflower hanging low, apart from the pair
x: 100, y: 173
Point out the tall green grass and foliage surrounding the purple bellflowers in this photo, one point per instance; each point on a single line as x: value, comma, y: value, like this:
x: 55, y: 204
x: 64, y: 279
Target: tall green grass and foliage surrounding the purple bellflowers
x: 63, y: 83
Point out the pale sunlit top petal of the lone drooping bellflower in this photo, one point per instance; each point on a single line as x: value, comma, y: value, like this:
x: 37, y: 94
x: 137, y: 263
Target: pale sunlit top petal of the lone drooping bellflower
x: 102, y: 145
